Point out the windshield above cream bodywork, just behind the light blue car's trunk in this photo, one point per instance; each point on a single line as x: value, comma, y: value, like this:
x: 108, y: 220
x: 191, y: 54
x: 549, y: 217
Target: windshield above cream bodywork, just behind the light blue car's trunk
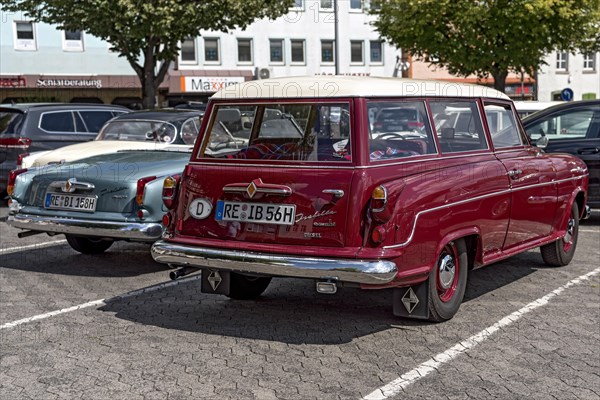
x: 138, y: 130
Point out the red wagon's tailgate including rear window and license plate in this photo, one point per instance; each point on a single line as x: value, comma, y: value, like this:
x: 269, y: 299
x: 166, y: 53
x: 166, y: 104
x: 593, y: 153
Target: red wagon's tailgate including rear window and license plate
x: 273, y: 173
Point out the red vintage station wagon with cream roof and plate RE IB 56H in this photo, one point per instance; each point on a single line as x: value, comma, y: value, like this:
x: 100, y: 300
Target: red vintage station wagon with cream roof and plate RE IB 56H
x: 276, y: 187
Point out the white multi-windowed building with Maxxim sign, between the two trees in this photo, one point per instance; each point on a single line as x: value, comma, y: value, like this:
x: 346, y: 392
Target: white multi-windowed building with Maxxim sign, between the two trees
x: 302, y: 42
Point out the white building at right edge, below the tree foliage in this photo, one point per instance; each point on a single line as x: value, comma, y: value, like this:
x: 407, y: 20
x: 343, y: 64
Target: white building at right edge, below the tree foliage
x: 577, y: 72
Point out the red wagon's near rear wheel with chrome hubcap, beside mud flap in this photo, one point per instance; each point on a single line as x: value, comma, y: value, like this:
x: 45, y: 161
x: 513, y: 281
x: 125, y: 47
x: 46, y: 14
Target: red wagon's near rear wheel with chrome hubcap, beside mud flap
x: 448, y: 281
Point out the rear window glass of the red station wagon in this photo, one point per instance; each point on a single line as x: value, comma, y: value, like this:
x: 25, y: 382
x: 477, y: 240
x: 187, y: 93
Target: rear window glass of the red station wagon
x: 279, y: 131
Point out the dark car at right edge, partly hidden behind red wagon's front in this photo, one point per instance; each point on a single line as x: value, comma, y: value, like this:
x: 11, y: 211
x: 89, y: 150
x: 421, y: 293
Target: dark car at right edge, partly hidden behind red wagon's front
x: 573, y: 128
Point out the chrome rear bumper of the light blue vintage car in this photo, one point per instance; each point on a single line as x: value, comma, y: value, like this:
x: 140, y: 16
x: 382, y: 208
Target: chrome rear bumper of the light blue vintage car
x: 147, y: 232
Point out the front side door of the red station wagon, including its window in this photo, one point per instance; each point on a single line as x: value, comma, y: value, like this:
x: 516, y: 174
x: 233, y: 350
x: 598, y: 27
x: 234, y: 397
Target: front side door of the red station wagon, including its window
x: 531, y: 174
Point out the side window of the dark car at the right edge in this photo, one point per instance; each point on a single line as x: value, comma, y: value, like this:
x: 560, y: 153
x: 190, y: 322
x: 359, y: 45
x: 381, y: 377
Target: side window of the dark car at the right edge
x: 569, y: 124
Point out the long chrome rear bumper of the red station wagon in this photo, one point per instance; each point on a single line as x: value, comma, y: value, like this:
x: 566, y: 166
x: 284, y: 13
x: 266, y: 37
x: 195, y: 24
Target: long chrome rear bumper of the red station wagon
x: 346, y: 270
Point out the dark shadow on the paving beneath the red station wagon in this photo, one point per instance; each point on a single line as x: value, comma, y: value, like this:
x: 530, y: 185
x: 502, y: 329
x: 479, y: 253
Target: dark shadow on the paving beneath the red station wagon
x: 290, y: 311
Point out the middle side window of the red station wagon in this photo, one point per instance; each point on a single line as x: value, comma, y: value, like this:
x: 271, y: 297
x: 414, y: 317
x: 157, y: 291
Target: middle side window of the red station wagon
x: 458, y: 125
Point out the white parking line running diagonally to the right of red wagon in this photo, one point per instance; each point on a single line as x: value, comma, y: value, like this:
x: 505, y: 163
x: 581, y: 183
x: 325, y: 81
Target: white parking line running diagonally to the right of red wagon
x: 398, y: 385
